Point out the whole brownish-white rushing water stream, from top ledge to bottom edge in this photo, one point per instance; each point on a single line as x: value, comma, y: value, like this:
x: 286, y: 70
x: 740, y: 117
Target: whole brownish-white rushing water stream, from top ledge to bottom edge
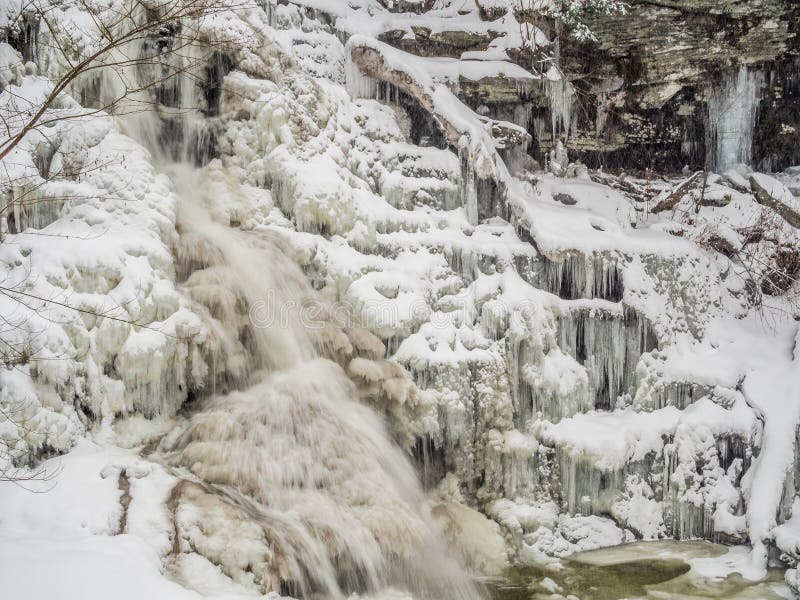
x: 323, y: 502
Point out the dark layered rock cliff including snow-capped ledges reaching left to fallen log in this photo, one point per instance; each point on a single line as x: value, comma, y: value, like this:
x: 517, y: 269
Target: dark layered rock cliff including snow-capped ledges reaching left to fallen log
x: 642, y: 87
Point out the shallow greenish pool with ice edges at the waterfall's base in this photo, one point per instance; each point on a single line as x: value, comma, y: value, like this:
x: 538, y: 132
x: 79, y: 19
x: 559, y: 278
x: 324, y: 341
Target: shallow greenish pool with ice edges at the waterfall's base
x: 661, y: 570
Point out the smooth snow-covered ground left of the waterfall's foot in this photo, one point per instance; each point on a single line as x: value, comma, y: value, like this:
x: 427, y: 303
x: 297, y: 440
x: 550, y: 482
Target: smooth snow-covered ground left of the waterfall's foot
x: 92, y: 542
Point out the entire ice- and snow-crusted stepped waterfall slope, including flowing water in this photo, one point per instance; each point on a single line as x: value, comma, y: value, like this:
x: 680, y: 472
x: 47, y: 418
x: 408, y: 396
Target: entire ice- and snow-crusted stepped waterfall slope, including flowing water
x: 342, y: 334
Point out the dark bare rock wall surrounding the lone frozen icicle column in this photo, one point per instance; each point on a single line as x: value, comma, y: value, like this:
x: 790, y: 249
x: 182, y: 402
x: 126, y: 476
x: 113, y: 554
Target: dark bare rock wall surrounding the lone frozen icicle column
x: 665, y: 59
